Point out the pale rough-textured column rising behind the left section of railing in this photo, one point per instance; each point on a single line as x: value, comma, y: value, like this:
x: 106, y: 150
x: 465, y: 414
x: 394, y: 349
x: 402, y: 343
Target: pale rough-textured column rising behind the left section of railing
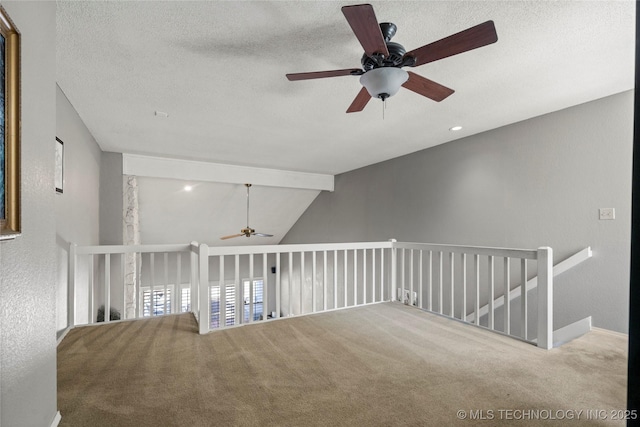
x: 131, y: 236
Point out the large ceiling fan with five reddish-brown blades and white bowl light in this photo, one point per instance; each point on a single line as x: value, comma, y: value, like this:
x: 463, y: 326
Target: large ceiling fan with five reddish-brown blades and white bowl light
x: 382, y: 74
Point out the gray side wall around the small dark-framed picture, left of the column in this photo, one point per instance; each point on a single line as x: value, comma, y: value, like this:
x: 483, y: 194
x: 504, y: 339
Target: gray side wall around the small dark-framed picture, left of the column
x: 77, y: 208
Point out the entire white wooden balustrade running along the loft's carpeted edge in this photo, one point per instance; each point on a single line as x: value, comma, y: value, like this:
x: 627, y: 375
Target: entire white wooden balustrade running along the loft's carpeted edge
x: 231, y: 286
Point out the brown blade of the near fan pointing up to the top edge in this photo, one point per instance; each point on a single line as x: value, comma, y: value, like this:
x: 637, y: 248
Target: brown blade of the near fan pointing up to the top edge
x: 365, y: 26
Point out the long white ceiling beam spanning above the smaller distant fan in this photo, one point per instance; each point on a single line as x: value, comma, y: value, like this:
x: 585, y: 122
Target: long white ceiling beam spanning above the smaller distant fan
x: 191, y: 170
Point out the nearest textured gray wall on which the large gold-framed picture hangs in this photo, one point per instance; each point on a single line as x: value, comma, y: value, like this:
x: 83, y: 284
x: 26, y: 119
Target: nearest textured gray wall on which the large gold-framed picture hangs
x: 28, y: 263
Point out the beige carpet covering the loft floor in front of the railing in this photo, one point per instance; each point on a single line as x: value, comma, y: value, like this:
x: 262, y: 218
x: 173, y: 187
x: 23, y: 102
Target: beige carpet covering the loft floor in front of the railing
x: 379, y: 365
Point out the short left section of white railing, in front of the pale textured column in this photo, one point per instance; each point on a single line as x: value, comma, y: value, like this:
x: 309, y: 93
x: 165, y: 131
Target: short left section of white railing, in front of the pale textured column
x: 121, y: 277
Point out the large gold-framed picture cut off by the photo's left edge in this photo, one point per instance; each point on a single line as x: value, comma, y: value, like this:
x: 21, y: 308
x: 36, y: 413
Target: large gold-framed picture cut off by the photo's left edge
x: 9, y: 128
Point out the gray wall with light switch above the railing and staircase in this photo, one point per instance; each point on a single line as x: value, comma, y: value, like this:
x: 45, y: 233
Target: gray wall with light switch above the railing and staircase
x: 536, y: 183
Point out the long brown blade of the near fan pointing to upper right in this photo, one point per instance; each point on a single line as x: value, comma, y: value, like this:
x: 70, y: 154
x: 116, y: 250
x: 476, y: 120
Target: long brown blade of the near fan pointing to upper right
x: 469, y: 39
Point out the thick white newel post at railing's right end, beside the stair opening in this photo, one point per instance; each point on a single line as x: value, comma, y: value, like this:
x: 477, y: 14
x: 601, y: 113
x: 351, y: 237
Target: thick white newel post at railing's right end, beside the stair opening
x: 545, y: 297
